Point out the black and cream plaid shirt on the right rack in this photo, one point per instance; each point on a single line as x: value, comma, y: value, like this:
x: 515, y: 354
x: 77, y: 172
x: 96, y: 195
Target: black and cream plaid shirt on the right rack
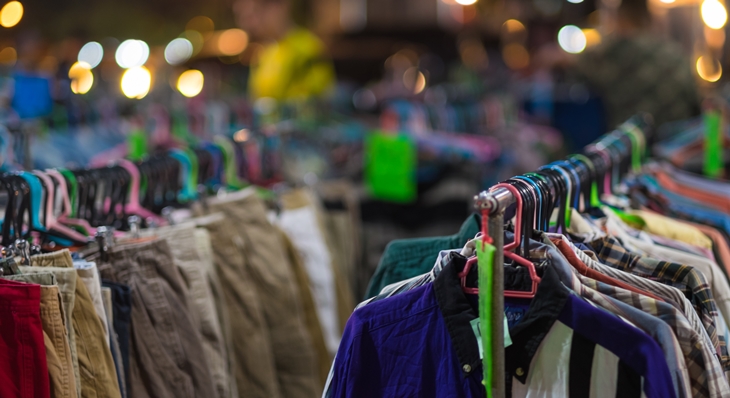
x: 685, y: 278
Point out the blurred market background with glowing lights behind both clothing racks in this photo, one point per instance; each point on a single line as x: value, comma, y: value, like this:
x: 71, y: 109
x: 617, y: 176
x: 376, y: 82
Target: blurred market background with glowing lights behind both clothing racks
x: 418, y: 104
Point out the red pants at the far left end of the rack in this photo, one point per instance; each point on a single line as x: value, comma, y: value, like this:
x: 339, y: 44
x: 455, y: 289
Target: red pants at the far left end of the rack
x: 23, y: 369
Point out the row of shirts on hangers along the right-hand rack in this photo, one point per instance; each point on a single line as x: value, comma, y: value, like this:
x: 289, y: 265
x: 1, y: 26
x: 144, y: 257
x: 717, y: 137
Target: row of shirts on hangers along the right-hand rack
x: 600, y: 299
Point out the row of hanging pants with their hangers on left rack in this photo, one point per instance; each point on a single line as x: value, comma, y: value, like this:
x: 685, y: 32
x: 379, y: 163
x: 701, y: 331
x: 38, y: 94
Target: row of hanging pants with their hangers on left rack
x: 167, y: 278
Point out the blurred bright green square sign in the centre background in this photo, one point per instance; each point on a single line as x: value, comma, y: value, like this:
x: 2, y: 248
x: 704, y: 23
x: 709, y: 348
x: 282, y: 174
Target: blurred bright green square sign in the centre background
x: 390, y: 168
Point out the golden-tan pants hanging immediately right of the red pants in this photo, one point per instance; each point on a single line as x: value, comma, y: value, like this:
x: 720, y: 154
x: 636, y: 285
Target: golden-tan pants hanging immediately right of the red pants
x: 55, y: 336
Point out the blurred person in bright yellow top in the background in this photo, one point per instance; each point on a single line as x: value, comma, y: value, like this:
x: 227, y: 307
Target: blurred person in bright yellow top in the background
x: 293, y: 63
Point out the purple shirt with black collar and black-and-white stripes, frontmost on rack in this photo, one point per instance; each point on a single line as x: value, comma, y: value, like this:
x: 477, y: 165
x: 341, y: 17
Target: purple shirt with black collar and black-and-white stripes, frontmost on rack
x: 421, y: 343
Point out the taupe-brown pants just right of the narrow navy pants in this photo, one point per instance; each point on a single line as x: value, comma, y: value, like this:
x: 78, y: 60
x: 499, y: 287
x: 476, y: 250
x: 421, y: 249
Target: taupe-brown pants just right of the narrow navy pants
x: 166, y: 352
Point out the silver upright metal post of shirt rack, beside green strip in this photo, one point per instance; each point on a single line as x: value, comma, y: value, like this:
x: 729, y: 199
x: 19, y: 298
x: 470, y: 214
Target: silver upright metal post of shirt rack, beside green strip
x: 496, y: 232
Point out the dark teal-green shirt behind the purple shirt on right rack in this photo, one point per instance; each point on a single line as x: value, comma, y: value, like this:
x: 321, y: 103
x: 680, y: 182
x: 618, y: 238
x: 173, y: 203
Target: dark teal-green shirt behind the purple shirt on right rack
x: 406, y: 258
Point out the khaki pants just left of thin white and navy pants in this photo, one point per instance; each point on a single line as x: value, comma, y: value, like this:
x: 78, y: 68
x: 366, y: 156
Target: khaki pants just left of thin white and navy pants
x: 96, y: 367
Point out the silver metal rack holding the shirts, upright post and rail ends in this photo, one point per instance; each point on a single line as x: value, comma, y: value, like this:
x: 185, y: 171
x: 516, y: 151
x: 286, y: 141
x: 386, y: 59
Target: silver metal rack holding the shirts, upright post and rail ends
x: 493, y: 204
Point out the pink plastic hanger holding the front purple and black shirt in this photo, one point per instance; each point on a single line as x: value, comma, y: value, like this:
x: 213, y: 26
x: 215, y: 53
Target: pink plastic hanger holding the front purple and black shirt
x: 507, y: 253
